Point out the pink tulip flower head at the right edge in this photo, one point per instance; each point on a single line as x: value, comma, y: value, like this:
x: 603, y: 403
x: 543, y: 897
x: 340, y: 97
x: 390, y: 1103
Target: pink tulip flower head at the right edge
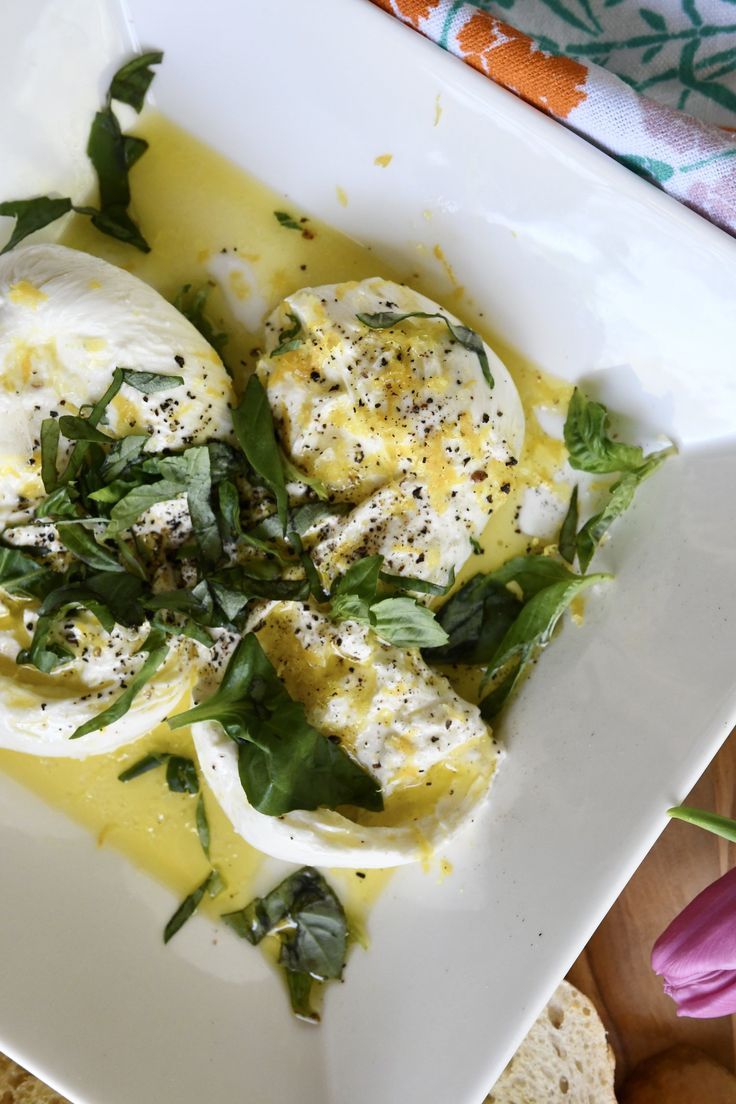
x: 697, y: 954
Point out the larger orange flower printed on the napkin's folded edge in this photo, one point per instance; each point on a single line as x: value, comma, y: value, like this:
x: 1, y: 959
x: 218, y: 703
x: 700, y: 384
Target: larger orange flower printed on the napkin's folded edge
x: 510, y: 58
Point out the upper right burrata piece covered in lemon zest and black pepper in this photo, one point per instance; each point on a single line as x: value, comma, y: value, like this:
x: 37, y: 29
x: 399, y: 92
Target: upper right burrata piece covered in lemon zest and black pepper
x: 399, y: 422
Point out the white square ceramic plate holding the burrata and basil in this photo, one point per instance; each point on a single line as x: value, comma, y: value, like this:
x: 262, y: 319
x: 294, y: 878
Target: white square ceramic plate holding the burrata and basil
x: 591, y: 273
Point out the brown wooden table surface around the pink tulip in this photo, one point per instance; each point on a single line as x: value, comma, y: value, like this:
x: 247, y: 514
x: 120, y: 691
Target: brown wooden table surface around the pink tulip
x: 614, y: 970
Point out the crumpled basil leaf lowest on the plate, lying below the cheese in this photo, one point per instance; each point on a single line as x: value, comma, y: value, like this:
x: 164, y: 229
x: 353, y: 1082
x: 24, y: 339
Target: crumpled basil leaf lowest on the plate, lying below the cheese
x: 306, y: 916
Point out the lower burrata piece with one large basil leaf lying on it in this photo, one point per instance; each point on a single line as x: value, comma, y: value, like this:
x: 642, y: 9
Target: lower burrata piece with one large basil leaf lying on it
x: 430, y: 750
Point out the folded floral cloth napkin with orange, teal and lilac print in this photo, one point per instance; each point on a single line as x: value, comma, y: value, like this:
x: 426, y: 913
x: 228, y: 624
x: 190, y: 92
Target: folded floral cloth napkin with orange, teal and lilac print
x: 653, y: 84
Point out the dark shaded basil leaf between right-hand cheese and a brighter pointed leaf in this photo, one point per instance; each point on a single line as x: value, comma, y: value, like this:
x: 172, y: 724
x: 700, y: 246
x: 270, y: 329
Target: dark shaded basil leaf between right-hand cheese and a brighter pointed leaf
x: 476, y: 620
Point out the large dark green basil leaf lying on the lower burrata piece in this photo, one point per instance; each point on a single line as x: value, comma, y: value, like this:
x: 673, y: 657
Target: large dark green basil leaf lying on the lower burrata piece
x: 284, y: 762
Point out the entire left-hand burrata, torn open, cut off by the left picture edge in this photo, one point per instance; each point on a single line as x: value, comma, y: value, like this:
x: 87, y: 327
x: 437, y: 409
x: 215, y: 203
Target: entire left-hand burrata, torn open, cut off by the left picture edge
x: 67, y: 322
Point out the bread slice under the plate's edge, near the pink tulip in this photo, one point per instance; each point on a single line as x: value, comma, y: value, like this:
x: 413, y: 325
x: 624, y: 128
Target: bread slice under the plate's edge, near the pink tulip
x: 566, y: 1059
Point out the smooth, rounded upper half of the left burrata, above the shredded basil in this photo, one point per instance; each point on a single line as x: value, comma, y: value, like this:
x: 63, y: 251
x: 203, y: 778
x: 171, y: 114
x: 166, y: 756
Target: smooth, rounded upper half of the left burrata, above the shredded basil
x: 68, y: 321
